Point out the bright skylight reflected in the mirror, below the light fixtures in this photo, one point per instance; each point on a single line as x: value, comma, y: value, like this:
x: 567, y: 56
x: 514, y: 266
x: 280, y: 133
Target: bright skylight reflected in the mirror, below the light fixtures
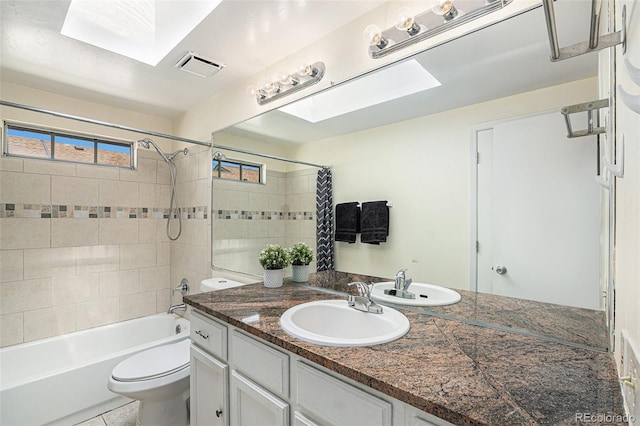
x: 400, y: 80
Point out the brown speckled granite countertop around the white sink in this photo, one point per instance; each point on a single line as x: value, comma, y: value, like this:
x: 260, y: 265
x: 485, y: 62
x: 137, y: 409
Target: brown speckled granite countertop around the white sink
x: 463, y: 373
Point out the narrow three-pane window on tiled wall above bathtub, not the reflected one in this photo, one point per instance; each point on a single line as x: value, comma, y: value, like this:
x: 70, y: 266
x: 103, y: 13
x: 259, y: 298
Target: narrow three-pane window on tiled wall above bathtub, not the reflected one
x: 32, y: 142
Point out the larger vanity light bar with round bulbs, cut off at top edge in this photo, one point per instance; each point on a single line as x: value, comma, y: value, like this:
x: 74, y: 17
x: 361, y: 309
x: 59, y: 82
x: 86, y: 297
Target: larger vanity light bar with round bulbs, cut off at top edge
x: 410, y: 29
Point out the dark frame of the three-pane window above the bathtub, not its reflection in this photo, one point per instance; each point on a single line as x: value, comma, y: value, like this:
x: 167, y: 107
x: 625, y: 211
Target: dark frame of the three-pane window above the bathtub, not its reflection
x: 54, y: 133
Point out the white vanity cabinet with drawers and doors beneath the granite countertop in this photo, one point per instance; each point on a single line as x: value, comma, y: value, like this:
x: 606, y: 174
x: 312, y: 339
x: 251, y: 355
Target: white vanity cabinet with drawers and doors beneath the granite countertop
x: 262, y: 384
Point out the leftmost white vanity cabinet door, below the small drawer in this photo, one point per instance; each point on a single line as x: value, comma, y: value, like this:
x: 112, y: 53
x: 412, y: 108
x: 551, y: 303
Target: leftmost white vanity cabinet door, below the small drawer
x: 209, y: 384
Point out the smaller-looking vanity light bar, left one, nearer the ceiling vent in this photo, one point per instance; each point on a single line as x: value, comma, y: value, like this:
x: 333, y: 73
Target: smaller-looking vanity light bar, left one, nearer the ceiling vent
x: 285, y: 84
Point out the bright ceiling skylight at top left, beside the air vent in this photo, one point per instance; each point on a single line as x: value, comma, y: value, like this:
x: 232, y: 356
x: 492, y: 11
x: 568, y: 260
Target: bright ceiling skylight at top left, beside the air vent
x: 144, y: 30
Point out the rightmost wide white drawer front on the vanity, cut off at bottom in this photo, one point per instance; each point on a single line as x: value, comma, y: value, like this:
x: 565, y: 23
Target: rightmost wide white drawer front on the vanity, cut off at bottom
x: 341, y: 403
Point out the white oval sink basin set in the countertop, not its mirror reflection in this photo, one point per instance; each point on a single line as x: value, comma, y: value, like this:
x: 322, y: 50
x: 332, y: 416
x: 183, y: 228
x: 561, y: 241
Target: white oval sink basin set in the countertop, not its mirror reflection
x: 334, y: 323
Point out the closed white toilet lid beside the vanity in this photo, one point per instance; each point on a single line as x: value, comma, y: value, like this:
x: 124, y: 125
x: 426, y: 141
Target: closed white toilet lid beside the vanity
x: 152, y: 363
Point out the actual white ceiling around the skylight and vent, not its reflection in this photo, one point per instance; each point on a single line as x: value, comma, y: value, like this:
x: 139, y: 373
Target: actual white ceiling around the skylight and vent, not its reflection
x: 245, y: 35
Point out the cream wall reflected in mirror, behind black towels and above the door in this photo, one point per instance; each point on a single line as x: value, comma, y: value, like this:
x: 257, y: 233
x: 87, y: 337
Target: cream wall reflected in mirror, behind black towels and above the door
x: 422, y: 166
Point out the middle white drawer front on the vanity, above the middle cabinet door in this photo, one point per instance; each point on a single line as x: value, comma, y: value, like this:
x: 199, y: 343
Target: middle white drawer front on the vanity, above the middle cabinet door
x: 261, y: 363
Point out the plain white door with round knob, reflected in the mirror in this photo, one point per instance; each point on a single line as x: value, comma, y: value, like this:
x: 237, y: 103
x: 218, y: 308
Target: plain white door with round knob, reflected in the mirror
x: 538, y: 213
